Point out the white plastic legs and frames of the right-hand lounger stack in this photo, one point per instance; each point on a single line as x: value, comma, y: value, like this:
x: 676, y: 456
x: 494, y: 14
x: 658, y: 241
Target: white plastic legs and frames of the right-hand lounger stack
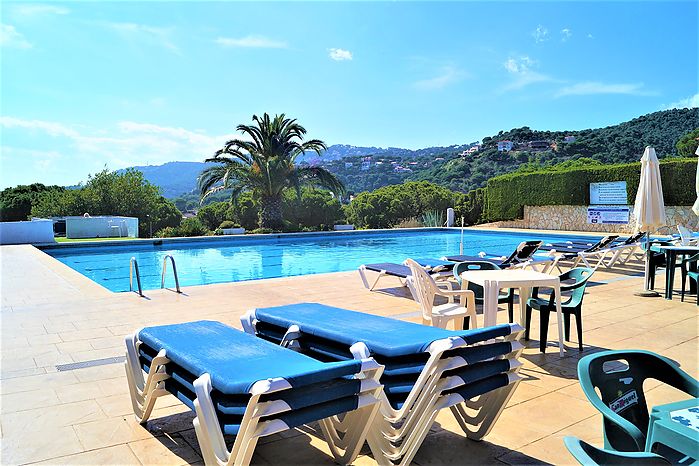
x: 397, y: 434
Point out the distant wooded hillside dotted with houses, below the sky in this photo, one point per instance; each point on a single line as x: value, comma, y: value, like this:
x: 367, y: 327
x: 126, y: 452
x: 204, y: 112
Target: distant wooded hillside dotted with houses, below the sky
x: 367, y: 168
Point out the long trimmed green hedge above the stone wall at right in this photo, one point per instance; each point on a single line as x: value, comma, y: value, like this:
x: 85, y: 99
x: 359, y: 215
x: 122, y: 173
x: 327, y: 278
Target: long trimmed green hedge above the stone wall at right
x: 508, y: 194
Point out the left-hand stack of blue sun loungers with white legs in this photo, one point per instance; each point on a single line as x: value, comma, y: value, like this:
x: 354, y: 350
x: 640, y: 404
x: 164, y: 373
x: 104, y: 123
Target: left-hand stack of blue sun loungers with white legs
x: 248, y: 388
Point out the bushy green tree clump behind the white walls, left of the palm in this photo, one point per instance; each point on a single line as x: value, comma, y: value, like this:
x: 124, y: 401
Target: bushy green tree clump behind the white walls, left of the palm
x: 113, y: 193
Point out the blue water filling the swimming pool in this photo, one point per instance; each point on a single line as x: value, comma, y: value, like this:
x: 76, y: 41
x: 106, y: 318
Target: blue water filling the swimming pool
x: 219, y: 260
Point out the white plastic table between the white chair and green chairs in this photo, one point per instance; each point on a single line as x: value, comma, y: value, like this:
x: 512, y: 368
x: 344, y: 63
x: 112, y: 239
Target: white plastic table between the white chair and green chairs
x: 493, y: 281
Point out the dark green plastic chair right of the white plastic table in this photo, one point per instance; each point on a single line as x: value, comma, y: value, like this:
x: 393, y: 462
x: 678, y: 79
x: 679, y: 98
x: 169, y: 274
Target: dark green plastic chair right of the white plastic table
x: 573, y: 306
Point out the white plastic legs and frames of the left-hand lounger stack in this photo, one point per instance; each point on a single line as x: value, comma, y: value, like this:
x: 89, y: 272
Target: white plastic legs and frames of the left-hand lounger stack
x: 345, y: 437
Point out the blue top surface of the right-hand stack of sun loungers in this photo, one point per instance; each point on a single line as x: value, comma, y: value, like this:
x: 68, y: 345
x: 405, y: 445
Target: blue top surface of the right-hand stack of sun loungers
x: 383, y: 336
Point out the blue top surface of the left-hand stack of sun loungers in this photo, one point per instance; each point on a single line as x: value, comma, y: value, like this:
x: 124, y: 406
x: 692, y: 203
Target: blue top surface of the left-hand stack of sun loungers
x: 235, y: 360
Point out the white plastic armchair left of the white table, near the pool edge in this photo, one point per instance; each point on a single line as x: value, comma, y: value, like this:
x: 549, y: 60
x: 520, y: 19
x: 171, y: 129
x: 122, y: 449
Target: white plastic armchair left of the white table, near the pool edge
x: 439, y: 316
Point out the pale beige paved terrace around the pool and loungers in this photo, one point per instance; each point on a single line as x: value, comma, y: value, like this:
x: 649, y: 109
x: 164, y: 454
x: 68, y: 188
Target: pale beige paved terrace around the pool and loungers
x: 52, y: 315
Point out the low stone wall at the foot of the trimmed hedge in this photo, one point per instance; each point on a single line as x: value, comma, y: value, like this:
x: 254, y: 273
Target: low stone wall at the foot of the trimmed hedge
x: 574, y: 218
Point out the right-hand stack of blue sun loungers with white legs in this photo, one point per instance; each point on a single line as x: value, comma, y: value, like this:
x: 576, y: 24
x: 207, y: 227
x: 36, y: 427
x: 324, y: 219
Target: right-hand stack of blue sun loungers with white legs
x: 427, y: 369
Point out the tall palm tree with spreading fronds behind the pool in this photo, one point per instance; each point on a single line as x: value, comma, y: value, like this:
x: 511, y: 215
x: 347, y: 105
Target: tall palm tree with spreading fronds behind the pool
x: 266, y: 166
